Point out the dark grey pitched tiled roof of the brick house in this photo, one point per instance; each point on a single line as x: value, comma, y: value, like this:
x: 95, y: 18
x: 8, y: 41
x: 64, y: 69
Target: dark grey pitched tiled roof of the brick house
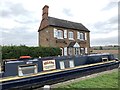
x: 66, y: 24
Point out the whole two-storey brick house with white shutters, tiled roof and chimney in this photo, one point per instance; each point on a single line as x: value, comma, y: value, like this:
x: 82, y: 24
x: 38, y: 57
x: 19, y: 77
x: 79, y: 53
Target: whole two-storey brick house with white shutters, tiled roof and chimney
x: 73, y: 38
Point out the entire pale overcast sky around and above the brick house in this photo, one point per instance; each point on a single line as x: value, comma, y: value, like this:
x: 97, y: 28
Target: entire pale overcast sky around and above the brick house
x: 20, y: 19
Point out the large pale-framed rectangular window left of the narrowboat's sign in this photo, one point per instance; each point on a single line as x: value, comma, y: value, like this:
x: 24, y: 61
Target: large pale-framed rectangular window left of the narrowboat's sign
x: 27, y: 69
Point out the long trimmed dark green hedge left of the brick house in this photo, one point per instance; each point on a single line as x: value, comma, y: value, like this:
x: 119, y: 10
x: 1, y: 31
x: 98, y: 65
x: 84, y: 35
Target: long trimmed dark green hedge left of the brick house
x: 14, y: 52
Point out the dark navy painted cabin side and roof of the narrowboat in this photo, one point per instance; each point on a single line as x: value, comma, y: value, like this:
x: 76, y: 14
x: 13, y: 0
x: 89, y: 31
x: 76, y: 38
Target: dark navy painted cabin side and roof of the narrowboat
x: 11, y: 67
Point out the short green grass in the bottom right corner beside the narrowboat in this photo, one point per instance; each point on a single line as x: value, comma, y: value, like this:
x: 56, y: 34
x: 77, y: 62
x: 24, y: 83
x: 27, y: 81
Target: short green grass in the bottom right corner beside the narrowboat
x: 103, y: 81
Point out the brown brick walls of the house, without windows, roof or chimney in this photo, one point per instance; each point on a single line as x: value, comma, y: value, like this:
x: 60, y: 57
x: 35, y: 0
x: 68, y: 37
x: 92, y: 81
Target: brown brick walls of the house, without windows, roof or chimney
x: 46, y: 38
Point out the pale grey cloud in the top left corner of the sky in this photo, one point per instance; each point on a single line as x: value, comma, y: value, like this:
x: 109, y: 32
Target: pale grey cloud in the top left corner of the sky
x: 11, y: 10
